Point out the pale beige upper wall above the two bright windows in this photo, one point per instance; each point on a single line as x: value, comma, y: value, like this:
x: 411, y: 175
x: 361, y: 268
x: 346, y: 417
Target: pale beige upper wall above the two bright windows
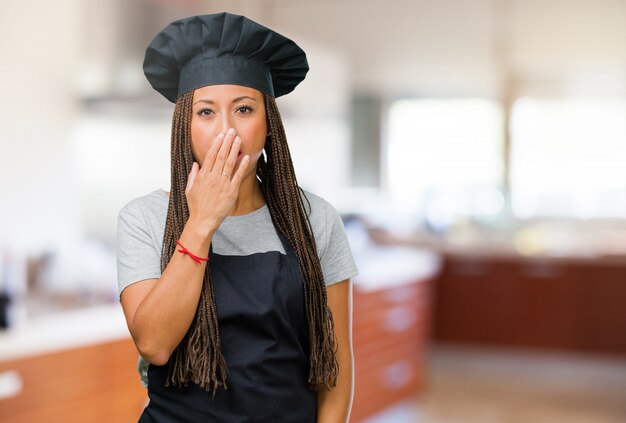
x: 451, y: 47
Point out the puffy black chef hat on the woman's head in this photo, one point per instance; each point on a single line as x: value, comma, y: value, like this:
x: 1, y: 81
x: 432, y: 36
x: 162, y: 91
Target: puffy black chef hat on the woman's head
x: 222, y: 48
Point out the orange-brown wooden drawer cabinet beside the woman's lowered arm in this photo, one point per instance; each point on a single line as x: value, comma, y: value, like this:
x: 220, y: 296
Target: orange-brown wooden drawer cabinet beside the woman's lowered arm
x: 389, y: 338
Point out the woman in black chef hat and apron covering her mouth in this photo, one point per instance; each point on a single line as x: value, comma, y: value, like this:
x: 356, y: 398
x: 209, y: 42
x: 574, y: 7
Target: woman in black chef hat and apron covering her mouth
x: 235, y: 285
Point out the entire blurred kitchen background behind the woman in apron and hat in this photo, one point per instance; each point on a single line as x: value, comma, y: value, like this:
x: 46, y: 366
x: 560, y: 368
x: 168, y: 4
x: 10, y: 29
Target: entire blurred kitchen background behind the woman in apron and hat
x: 475, y: 148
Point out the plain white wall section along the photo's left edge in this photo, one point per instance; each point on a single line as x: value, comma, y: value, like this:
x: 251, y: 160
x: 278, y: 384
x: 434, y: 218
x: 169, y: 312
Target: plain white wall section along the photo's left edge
x: 38, y: 41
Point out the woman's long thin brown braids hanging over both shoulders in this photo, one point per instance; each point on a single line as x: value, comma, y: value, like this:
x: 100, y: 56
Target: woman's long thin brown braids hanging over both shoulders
x: 198, y: 357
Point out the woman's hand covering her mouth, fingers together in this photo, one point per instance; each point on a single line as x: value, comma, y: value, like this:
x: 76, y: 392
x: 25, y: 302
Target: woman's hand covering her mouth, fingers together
x: 213, y: 188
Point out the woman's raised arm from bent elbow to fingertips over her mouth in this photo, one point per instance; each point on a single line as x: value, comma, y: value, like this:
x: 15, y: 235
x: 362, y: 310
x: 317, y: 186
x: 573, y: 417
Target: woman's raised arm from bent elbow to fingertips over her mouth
x: 159, y: 311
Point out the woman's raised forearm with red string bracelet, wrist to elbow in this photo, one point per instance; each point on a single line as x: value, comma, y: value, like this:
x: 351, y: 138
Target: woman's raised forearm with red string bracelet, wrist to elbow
x: 167, y: 311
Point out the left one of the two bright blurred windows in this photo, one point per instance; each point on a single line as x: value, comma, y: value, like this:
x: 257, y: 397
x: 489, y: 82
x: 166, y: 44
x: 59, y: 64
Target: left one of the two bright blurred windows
x: 444, y: 158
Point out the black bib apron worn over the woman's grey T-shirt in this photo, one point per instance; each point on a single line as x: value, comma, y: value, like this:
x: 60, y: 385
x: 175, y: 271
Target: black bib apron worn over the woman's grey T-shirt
x: 264, y: 338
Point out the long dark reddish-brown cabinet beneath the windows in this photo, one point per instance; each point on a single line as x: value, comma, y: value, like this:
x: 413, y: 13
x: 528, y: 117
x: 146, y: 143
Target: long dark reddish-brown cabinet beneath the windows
x: 547, y: 303
